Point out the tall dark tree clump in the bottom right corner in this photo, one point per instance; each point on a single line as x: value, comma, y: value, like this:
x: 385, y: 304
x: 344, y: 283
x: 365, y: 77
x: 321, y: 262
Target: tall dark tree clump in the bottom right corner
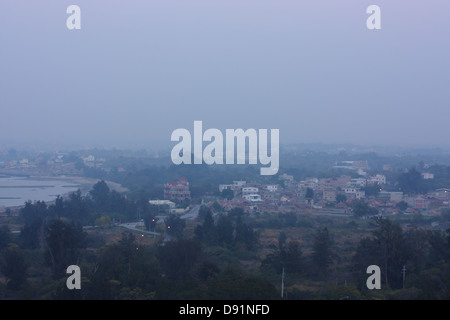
x: 424, y: 256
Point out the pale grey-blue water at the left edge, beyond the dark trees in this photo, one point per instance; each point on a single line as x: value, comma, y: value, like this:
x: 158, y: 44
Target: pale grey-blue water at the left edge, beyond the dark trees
x: 14, y: 191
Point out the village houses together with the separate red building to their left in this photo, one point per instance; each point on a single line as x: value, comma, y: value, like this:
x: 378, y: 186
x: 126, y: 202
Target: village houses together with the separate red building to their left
x: 318, y: 195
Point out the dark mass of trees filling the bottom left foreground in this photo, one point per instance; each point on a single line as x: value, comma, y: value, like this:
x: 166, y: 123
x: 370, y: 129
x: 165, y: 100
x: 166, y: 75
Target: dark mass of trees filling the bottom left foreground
x: 179, y: 269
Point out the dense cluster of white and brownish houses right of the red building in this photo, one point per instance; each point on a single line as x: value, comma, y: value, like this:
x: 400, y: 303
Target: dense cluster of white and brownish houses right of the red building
x: 327, y: 195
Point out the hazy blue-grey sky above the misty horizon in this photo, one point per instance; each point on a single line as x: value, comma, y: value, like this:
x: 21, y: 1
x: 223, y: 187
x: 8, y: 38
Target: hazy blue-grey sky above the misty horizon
x: 137, y: 70
